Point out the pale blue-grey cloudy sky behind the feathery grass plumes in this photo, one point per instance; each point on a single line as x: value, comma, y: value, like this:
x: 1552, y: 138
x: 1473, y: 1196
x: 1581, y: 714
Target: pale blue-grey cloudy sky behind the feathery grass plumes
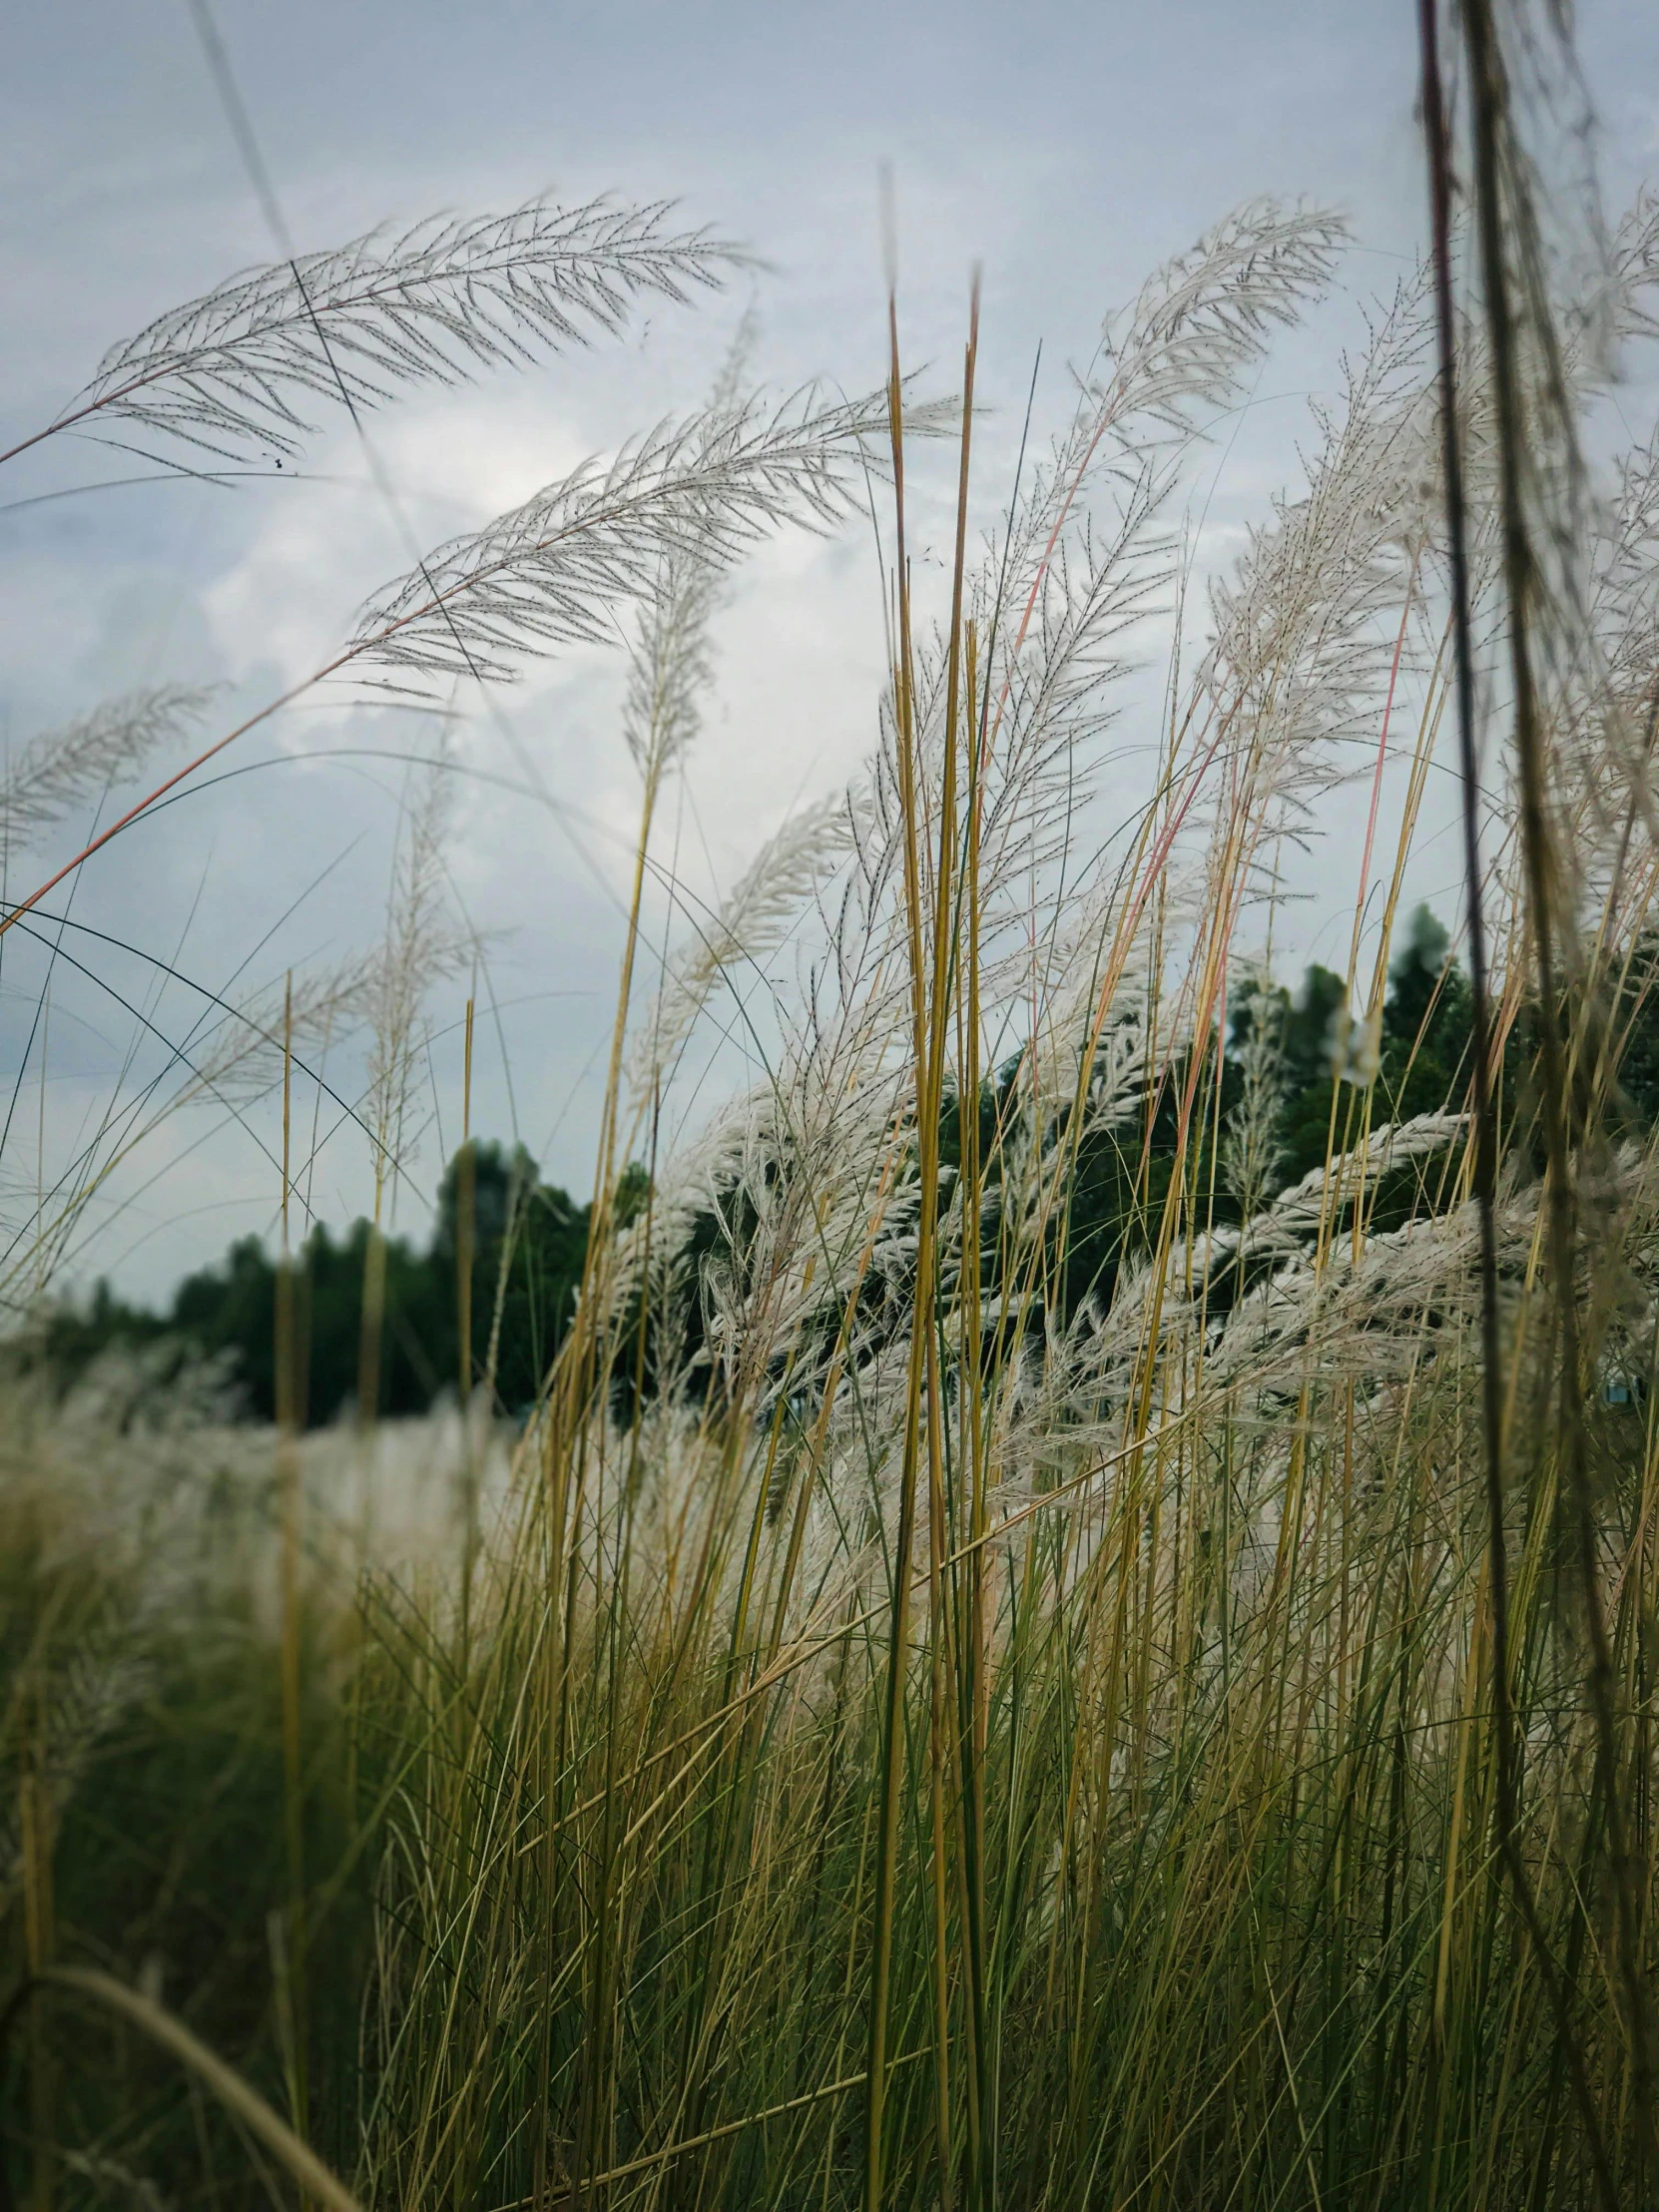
x: 1067, y: 149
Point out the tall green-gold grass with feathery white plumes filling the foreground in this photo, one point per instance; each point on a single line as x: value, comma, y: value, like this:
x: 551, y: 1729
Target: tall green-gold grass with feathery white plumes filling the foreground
x: 1023, y: 1658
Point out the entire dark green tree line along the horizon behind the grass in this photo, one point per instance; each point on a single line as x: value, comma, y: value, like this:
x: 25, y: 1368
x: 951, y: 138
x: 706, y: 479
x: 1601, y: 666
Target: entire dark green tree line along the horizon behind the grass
x: 530, y: 1238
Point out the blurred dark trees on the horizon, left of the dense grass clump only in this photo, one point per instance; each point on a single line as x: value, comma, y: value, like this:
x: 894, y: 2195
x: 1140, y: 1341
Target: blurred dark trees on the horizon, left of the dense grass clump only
x: 231, y: 1311
